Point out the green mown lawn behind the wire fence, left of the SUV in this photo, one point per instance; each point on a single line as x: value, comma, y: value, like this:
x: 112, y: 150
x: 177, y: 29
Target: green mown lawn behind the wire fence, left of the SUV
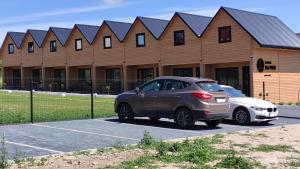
x: 15, y: 107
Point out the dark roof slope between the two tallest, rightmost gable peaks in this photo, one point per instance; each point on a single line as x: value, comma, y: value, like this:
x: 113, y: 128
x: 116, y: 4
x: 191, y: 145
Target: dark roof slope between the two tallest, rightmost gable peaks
x: 196, y: 23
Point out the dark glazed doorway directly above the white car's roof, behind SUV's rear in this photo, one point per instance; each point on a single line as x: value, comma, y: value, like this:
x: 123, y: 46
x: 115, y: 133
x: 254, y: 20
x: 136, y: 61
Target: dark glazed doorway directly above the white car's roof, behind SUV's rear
x: 228, y: 76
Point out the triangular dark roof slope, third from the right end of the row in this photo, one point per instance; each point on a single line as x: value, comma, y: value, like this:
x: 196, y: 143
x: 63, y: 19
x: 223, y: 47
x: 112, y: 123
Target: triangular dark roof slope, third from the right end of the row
x: 155, y: 26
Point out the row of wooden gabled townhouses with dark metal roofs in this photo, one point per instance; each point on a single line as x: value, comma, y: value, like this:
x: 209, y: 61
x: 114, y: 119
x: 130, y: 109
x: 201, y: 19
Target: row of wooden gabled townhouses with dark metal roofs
x: 253, y: 52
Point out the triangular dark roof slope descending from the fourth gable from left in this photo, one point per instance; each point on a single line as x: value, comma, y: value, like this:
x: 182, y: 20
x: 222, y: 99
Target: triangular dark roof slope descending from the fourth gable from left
x: 88, y: 31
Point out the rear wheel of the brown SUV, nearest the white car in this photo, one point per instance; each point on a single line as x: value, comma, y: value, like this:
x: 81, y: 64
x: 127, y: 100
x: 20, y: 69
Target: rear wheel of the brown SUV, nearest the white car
x: 184, y: 118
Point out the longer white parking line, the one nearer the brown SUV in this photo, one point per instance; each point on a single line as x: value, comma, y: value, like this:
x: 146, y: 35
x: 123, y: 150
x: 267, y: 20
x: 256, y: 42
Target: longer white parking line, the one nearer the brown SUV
x: 85, y: 132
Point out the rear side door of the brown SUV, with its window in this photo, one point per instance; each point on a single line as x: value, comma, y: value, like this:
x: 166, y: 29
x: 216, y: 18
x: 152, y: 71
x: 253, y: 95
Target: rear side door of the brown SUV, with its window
x: 169, y: 97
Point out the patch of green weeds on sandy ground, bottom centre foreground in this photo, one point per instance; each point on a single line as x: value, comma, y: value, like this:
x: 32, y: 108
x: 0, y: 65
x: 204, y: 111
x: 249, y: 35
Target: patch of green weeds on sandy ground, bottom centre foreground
x: 193, y: 154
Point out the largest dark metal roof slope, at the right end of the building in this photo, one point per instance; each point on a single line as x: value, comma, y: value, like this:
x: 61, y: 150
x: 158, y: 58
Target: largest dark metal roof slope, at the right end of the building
x: 268, y: 31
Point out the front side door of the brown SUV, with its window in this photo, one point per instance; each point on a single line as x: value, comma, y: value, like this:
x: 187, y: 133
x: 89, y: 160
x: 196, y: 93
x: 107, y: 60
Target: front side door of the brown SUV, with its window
x: 147, y: 98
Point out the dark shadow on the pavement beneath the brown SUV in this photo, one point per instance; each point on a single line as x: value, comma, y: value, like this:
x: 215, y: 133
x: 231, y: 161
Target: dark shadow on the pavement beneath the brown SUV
x: 164, y: 124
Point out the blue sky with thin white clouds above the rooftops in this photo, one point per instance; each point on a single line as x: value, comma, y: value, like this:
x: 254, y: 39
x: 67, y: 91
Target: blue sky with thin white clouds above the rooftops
x: 19, y: 15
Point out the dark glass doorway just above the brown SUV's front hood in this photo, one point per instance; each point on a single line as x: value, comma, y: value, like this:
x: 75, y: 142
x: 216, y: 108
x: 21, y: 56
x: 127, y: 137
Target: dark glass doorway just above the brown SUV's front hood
x: 113, y: 79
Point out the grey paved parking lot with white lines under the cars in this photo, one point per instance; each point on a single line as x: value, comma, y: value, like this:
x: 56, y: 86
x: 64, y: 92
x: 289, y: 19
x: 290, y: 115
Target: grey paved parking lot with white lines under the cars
x: 59, y: 137
